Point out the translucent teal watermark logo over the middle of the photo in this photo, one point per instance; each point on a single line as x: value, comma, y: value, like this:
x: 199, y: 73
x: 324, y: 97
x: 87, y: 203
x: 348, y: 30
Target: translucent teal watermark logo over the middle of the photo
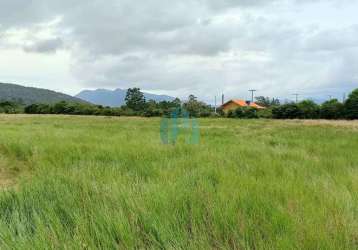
x: 179, y: 122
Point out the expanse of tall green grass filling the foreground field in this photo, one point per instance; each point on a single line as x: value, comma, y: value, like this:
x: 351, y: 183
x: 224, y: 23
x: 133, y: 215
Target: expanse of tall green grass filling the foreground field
x: 109, y: 183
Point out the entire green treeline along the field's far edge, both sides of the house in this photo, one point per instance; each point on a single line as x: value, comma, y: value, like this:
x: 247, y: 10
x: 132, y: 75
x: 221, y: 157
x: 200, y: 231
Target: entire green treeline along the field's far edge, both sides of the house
x: 137, y: 105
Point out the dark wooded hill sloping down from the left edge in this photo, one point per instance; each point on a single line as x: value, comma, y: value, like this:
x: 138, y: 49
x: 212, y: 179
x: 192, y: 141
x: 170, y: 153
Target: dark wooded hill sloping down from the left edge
x: 29, y: 95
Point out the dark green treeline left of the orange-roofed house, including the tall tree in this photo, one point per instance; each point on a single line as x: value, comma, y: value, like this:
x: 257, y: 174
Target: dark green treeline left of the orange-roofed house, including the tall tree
x: 136, y: 105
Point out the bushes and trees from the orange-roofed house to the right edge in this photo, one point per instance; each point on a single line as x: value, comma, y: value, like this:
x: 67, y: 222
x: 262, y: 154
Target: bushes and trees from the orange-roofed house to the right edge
x: 306, y: 109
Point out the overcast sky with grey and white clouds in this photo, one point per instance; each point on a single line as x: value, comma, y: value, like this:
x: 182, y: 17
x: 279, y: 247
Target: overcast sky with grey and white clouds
x: 200, y: 47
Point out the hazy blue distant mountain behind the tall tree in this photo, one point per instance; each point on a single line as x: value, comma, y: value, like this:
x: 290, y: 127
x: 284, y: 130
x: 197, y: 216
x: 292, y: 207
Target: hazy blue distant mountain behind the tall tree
x: 115, y: 98
